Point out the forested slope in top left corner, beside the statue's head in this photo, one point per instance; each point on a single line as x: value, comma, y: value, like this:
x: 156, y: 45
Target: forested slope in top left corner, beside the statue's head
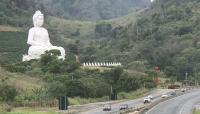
x: 12, y: 12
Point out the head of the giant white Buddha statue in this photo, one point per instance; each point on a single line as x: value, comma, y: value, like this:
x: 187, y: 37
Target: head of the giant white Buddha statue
x: 38, y: 19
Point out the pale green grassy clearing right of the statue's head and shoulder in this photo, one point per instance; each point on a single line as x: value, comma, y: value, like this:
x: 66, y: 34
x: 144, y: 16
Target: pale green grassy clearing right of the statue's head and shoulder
x: 67, y: 27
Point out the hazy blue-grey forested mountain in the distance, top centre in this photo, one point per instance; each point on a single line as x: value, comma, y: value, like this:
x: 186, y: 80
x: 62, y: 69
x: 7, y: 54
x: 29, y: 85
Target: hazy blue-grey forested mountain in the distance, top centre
x: 92, y: 9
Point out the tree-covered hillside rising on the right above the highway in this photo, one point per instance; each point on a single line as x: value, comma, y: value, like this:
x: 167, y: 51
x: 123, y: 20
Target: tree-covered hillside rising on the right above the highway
x: 167, y: 35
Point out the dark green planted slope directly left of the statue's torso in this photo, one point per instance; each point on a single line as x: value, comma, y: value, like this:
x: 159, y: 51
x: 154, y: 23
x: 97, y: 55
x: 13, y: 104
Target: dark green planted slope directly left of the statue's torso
x: 12, y: 46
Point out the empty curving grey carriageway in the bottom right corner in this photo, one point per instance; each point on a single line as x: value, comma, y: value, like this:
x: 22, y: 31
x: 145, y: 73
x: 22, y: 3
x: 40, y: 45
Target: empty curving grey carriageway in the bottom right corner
x: 183, y: 104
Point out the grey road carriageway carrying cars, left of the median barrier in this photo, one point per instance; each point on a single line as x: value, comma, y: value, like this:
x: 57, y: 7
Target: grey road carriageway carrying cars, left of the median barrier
x: 131, y: 103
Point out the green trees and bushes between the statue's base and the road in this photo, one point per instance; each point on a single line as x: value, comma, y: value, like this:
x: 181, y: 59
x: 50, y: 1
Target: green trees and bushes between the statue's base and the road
x: 67, y: 78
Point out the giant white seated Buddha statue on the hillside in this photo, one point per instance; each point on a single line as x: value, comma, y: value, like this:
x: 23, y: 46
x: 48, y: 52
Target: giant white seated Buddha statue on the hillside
x: 39, y: 41
